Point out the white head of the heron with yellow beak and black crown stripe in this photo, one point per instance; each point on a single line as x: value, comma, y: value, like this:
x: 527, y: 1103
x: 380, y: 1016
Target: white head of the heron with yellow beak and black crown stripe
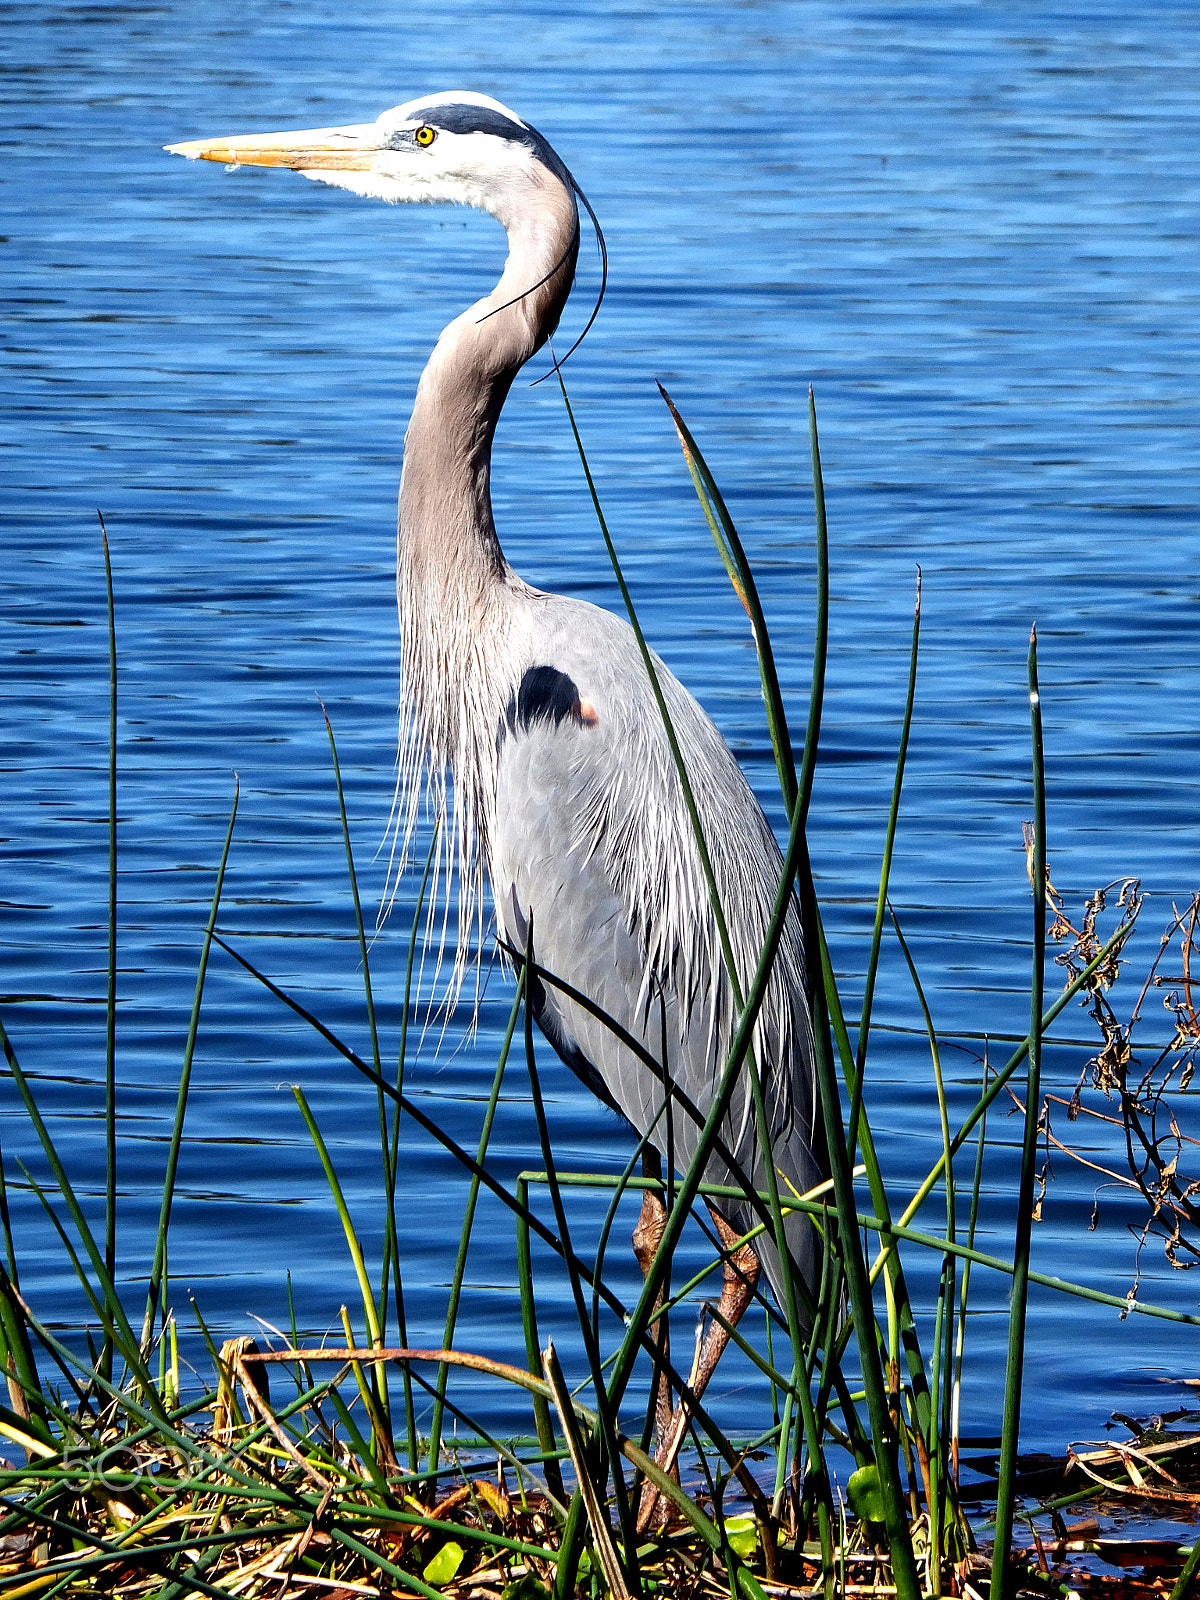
x: 457, y: 146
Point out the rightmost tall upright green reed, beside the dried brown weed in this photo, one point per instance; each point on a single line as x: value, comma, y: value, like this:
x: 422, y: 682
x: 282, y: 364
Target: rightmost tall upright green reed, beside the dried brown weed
x: 1025, y: 1204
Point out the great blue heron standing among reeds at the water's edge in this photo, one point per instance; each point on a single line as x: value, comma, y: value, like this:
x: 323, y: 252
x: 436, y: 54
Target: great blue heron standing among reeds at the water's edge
x: 542, y: 710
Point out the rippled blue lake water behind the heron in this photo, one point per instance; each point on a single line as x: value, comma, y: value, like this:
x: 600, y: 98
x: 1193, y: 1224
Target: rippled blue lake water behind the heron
x: 972, y: 228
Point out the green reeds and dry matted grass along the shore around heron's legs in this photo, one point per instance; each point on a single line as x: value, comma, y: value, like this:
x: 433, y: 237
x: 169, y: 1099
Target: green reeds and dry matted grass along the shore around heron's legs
x: 302, y: 1470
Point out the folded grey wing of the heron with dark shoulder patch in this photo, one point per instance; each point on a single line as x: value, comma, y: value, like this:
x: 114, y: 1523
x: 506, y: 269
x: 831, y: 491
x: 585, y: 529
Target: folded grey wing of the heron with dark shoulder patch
x: 591, y: 839
